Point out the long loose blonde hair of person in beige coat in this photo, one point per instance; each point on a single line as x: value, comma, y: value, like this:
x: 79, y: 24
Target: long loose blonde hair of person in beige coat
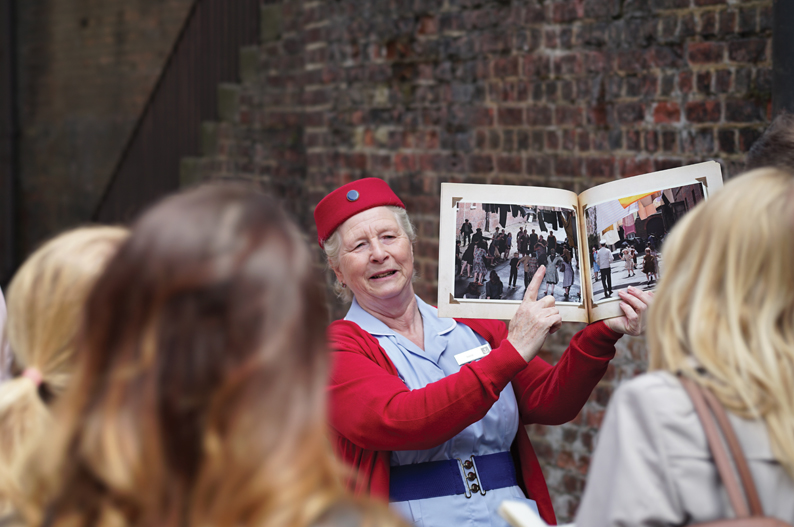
x: 727, y: 300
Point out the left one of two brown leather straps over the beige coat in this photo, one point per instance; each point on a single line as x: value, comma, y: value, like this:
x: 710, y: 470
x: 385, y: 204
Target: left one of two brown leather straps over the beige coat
x: 724, y: 467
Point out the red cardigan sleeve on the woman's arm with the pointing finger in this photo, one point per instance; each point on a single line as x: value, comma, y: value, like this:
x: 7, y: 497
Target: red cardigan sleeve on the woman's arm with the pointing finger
x: 375, y: 410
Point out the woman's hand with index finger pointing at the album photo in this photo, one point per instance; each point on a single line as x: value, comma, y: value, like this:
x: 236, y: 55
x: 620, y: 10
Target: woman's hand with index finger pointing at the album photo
x: 534, y: 320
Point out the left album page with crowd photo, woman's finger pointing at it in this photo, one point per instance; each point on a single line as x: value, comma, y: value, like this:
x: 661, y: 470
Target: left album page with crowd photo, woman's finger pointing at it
x: 488, y: 231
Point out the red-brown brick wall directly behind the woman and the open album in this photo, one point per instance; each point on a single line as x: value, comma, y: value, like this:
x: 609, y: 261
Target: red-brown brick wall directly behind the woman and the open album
x: 565, y: 93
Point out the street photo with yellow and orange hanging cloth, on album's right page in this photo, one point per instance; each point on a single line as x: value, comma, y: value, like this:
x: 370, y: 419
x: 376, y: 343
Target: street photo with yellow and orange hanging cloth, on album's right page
x: 625, y: 237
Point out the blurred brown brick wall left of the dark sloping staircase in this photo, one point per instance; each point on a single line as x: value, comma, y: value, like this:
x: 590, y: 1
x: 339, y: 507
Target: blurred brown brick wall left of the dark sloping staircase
x: 86, y: 68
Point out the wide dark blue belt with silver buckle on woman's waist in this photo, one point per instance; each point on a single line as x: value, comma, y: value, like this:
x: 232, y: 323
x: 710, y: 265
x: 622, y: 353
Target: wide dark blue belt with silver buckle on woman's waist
x: 443, y: 478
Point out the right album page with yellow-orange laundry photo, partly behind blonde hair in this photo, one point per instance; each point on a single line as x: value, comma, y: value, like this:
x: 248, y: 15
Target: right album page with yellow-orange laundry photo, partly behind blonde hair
x: 632, y: 217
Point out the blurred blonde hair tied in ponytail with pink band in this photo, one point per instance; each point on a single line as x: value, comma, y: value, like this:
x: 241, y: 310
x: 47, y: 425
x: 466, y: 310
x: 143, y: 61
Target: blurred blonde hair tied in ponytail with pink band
x: 45, y: 303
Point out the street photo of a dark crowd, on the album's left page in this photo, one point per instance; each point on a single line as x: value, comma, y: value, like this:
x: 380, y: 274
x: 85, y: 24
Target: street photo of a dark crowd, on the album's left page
x: 499, y: 247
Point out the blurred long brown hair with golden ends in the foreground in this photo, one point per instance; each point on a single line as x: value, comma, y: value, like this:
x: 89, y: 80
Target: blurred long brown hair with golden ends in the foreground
x: 201, y: 396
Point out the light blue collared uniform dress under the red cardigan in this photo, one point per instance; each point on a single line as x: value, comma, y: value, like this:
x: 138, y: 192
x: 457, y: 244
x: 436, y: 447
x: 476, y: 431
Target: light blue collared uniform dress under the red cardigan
x: 494, y: 433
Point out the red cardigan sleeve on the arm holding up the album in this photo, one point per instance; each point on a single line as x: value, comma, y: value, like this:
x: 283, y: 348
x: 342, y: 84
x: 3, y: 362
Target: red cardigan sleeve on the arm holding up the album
x: 553, y: 395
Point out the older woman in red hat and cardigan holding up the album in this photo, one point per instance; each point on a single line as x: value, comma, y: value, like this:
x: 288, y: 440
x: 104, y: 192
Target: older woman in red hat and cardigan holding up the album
x: 431, y: 411
